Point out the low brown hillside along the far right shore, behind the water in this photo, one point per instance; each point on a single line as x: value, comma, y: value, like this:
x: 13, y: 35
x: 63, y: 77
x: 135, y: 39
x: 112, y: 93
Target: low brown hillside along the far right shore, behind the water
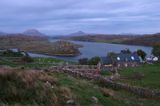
x: 146, y: 40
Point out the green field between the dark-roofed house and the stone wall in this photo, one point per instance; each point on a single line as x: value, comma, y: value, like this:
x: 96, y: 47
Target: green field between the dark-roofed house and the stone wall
x: 151, y: 74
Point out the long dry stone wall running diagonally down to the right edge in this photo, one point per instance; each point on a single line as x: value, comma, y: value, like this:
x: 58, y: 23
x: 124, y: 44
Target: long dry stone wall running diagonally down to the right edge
x: 145, y: 92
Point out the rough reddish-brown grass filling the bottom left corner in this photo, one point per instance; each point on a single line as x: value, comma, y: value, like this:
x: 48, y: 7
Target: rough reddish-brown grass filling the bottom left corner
x: 28, y: 88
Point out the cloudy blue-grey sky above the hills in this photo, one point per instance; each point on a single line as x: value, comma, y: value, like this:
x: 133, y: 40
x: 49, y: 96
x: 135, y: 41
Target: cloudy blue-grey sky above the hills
x: 56, y: 17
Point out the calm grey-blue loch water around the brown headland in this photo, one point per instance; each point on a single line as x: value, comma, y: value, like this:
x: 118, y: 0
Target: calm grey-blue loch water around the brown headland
x: 91, y: 49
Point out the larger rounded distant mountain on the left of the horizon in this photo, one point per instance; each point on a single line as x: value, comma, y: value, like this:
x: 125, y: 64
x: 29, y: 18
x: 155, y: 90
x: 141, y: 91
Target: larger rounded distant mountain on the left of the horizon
x: 33, y: 32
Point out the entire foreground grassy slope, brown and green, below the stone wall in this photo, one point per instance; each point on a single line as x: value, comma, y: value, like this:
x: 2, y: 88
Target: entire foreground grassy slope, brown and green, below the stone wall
x: 27, y: 87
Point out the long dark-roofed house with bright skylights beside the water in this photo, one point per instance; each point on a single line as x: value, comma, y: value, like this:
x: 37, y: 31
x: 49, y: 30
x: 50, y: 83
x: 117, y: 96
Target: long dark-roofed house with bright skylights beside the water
x: 121, y: 60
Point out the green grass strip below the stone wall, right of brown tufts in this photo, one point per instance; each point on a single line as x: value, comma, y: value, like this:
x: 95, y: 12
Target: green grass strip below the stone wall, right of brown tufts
x: 84, y: 90
